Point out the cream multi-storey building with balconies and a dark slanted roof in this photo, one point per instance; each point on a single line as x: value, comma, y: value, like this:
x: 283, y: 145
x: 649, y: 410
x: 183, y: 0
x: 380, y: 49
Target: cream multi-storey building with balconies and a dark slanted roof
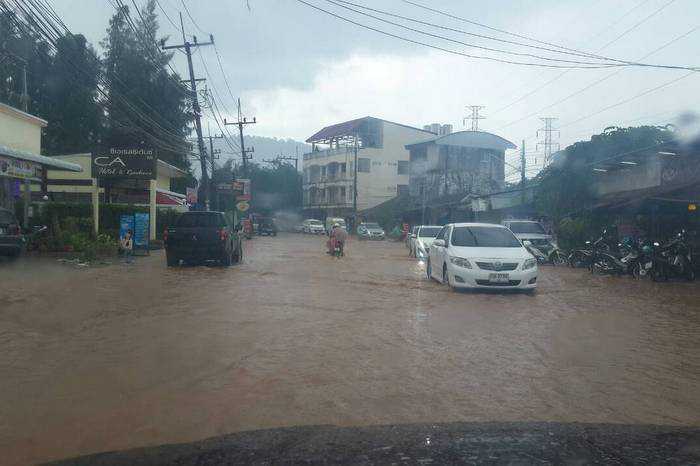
x: 382, y: 165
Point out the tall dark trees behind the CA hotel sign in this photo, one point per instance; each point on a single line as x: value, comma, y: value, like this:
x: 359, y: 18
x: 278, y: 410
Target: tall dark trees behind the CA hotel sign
x: 128, y: 97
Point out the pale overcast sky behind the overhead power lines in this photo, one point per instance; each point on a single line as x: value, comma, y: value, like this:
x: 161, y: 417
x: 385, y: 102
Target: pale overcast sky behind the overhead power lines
x: 297, y: 69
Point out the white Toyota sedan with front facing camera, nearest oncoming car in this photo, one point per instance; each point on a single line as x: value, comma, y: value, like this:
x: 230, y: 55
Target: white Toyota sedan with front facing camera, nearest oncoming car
x: 481, y: 255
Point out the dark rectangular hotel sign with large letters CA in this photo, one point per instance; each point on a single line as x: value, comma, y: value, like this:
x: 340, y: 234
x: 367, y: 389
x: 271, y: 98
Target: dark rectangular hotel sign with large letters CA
x: 139, y: 164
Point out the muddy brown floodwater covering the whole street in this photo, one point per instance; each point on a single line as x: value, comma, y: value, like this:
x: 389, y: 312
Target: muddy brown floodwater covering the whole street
x: 115, y: 357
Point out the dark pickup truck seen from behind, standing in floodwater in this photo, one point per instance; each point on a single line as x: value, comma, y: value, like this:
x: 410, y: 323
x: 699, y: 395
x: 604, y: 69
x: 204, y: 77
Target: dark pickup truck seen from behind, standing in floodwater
x: 202, y: 236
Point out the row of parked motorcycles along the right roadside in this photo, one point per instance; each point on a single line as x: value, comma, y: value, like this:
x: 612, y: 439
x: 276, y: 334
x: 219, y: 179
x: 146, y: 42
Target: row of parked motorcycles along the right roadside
x: 639, y: 258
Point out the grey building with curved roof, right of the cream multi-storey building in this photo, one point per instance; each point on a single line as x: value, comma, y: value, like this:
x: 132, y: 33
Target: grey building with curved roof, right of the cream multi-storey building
x: 457, y: 164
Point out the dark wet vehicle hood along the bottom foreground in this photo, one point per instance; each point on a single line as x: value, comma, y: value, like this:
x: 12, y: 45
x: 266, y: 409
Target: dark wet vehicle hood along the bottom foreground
x: 454, y: 443
